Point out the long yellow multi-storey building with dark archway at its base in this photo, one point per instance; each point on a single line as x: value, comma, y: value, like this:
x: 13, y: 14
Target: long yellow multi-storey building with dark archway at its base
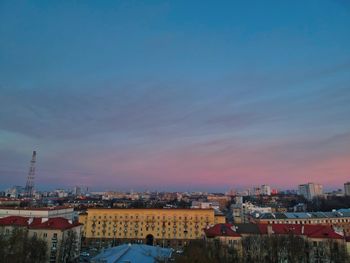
x: 164, y: 227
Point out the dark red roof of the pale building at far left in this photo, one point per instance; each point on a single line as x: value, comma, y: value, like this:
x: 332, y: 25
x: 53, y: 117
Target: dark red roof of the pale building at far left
x: 58, y: 223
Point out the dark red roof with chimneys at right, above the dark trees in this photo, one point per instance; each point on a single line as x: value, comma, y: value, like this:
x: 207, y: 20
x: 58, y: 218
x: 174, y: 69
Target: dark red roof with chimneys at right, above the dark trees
x: 312, y: 231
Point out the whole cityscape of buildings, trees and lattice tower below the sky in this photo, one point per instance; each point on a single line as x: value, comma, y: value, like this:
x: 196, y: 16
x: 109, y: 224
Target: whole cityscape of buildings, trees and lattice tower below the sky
x: 80, y: 225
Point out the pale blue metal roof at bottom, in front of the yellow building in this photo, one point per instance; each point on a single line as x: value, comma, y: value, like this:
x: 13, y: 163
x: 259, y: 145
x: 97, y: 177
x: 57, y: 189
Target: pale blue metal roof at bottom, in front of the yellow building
x: 133, y: 253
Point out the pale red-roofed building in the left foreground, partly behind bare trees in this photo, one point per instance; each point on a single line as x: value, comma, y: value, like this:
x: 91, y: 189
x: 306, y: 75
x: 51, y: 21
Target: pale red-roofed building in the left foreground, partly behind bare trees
x: 54, y: 231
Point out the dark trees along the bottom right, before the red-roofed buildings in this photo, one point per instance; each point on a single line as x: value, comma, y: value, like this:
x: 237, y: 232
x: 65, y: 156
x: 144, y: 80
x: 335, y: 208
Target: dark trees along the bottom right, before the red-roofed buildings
x: 265, y: 249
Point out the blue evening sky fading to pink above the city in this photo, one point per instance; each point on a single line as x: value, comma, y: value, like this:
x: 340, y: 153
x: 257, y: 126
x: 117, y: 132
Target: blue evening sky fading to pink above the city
x: 175, y: 95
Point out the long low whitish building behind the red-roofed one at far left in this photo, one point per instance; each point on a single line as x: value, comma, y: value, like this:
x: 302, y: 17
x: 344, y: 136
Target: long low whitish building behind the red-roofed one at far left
x: 45, y: 212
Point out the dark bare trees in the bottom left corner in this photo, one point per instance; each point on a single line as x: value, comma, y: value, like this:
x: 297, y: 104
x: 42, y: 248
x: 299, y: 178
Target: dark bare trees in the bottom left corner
x: 18, y: 247
